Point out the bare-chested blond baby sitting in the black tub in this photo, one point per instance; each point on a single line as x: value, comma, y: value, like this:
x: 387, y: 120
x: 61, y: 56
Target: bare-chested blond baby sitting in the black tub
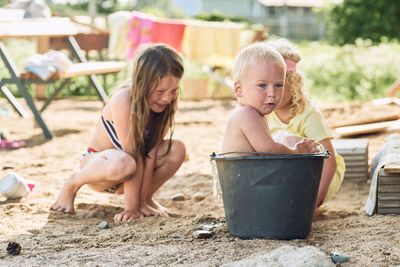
x: 259, y: 76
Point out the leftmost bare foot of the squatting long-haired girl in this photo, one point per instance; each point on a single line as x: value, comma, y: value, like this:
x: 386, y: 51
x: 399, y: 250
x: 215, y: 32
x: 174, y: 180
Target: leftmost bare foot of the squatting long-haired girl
x: 65, y: 200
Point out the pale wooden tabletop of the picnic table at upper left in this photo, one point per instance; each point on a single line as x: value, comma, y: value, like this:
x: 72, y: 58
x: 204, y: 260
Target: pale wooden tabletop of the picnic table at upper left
x: 42, y: 27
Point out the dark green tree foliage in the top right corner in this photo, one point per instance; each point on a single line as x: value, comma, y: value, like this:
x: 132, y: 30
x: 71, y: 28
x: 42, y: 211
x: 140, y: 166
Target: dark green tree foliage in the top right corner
x: 365, y: 19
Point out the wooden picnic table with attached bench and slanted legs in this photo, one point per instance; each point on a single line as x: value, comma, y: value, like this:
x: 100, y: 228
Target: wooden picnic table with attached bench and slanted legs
x: 46, y: 28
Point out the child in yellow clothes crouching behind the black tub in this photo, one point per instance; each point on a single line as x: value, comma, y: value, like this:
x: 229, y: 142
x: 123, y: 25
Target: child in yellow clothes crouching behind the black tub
x: 296, y: 118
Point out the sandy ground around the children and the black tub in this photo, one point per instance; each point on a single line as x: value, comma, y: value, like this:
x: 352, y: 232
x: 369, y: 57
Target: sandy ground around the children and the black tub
x: 50, y: 238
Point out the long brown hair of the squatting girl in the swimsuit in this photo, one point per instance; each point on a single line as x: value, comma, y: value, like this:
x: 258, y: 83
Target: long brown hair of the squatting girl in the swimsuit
x: 151, y: 64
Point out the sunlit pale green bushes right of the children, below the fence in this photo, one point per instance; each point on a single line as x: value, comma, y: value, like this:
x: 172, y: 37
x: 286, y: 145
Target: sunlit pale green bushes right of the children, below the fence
x: 350, y: 72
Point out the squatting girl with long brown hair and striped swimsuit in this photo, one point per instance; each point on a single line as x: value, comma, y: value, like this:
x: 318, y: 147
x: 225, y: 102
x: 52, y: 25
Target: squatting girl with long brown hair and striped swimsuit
x: 128, y: 152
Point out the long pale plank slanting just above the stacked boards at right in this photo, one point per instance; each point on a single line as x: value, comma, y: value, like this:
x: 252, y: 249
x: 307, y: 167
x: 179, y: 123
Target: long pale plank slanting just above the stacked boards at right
x: 364, y: 128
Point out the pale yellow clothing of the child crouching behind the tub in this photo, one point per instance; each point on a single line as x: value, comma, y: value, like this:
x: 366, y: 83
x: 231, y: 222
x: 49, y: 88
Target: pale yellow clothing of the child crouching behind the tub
x: 310, y: 124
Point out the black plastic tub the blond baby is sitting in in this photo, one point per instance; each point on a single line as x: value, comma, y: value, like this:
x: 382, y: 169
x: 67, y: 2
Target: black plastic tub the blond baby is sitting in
x: 269, y: 195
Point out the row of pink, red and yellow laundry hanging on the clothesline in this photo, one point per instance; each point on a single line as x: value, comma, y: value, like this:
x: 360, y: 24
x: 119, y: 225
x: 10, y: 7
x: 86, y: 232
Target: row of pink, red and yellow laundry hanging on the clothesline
x: 211, y: 43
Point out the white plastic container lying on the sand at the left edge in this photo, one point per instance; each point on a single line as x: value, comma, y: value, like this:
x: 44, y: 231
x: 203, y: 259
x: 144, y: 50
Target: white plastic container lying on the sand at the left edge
x: 14, y: 186
